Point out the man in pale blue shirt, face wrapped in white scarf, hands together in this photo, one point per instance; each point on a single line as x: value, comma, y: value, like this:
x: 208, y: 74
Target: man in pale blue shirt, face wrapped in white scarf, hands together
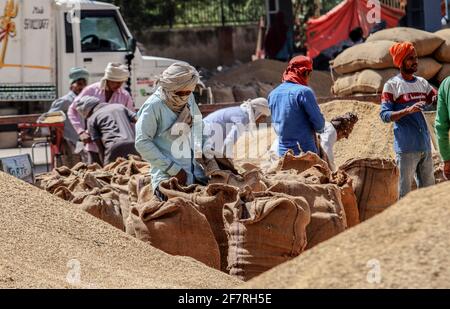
x: 170, y: 110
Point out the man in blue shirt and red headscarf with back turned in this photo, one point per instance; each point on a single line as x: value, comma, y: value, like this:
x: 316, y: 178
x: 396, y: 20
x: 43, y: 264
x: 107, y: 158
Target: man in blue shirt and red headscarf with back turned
x: 296, y: 116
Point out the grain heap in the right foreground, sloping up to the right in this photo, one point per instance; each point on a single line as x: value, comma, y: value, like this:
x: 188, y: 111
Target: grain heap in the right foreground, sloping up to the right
x: 404, y: 247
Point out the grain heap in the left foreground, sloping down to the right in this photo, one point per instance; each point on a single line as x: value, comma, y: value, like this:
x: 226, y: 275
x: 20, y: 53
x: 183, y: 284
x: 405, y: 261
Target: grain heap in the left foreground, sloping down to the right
x: 46, y: 242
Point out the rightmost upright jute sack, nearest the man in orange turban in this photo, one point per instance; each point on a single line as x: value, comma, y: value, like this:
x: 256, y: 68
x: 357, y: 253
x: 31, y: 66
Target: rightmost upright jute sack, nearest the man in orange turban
x: 375, y: 182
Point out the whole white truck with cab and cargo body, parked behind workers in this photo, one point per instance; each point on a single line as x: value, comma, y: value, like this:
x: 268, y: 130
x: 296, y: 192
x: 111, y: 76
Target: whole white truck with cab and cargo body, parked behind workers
x: 41, y: 40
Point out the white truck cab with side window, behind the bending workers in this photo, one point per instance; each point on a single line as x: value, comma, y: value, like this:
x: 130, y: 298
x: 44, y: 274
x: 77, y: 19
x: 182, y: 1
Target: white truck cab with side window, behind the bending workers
x: 91, y: 34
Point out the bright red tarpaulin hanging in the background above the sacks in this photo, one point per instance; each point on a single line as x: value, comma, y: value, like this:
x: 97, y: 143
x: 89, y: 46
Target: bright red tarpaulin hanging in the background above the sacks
x: 334, y: 27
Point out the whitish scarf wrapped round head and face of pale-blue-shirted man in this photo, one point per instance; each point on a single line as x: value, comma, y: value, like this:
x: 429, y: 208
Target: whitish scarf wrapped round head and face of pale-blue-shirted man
x: 177, y: 77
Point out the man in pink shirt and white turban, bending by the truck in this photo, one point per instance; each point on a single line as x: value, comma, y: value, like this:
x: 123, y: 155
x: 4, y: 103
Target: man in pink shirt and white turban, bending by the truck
x: 108, y: 90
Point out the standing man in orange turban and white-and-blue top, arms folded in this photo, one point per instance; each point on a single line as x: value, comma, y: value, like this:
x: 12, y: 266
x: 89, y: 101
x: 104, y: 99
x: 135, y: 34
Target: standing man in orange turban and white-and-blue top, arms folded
x: 404, y: 97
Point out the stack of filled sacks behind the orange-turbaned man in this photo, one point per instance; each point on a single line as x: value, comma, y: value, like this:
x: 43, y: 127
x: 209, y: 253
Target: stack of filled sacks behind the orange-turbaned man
x: 365, y: 68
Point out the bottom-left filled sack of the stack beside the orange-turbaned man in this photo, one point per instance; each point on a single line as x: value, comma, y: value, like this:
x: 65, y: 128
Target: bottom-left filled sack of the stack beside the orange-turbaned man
x: 366, y: 81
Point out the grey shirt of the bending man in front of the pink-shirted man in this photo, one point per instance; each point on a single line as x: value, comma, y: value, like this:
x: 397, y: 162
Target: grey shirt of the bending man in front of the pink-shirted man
x: 112, y: 123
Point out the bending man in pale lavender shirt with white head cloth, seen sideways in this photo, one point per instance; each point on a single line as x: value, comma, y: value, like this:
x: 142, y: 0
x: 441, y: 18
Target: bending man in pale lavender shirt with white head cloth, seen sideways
x: 235, y: 121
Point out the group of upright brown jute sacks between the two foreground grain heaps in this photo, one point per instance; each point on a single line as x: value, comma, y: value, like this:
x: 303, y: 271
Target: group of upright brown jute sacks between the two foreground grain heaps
x: 243, y: 224
